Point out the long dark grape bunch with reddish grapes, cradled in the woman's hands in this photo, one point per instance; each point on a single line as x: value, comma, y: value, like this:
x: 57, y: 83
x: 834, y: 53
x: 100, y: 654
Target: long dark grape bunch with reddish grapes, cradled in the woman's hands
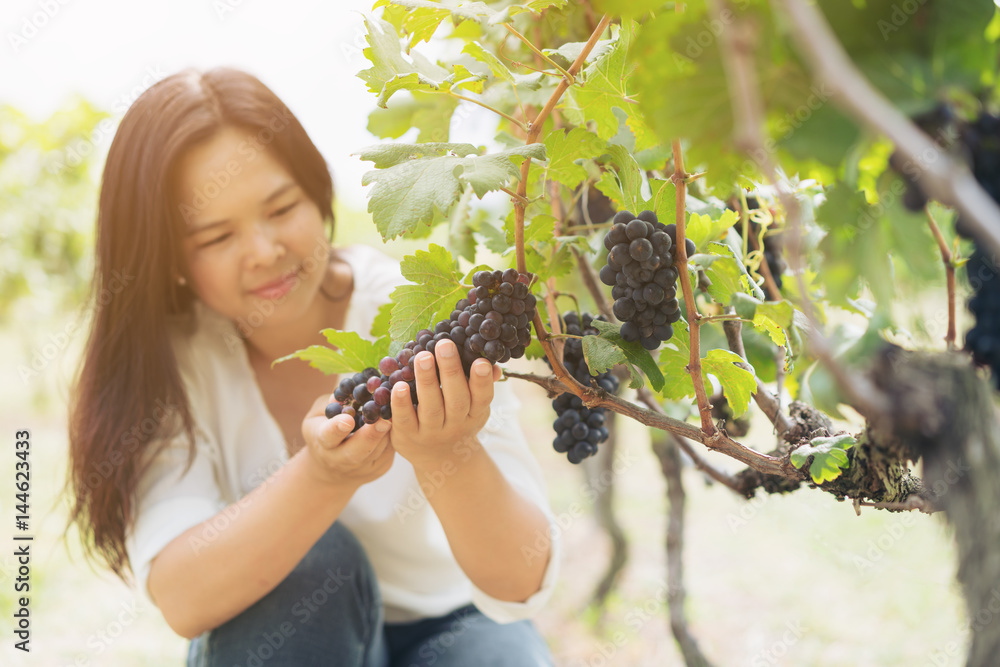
x: 493, y: 321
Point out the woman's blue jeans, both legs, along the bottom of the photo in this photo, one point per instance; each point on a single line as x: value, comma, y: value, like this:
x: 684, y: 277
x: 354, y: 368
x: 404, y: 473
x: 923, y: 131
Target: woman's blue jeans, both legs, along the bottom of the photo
x: 328, y: 611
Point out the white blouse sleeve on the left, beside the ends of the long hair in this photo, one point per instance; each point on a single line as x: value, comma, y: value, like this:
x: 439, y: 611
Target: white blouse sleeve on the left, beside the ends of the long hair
x: 169, y: 500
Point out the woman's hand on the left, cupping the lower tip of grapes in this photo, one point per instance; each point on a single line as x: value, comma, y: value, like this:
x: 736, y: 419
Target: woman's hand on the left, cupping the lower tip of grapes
x: 343, y: 461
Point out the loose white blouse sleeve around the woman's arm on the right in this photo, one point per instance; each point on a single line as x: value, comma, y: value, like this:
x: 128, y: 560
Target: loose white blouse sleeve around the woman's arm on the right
x: 503, y: 439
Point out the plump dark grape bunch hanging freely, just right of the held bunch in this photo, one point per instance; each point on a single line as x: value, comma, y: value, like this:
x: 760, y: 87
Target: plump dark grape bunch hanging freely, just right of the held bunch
x: 641, y: 273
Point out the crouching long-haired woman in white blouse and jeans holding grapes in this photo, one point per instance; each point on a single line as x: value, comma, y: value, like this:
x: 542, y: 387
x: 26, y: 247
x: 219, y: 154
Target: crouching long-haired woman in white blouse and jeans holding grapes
x: 263, y: 531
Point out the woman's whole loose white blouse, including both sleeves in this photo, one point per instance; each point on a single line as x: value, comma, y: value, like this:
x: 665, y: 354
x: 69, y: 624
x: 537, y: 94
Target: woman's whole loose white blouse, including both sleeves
x: 239, y: 445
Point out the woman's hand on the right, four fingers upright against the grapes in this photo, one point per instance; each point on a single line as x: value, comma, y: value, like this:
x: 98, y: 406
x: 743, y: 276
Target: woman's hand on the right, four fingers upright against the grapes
x: 449, y: 413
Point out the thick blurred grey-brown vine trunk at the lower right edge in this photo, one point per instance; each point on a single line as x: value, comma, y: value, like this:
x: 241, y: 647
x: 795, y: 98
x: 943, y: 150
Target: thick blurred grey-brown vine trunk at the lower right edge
x: 947, y: 413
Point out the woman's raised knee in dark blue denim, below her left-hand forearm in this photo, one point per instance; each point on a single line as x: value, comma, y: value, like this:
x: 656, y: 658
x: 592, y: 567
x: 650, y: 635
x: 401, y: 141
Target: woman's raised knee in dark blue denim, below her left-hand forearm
x: 328, y: 607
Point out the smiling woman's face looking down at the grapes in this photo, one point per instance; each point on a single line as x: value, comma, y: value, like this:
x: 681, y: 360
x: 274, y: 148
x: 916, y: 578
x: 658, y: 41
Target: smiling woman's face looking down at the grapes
x: 254, y: 240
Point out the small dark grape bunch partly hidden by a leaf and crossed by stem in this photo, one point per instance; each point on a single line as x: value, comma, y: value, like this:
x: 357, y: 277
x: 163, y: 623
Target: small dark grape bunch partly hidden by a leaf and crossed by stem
x: 579, y: 429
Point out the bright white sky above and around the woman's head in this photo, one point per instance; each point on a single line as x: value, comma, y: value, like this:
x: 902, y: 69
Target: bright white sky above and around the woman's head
x: 307, y: 51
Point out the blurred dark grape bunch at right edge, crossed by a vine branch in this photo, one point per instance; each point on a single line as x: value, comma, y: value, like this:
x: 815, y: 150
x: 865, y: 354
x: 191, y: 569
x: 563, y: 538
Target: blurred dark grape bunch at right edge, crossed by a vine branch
x: 982, y: 140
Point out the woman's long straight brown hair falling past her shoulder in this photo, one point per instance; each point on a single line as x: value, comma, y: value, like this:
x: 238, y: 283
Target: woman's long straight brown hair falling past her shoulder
x: 128, y: 392
